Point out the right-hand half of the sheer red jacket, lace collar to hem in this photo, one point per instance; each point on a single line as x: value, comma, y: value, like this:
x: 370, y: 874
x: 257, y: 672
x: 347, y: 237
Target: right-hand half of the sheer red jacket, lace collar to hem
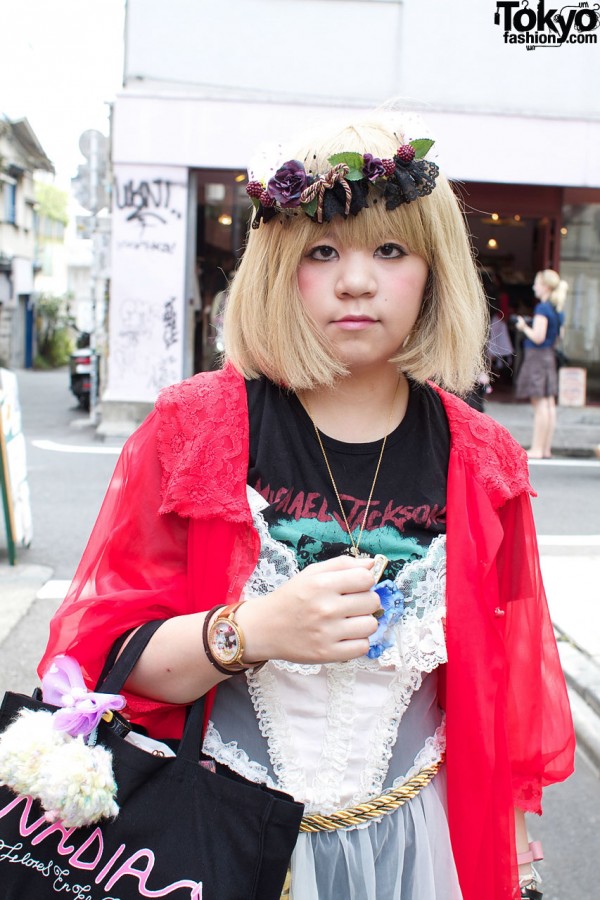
x: 505, y: 694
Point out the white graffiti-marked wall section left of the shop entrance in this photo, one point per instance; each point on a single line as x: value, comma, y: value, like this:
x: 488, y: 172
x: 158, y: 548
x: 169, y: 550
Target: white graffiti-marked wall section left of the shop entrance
x: 147, y: 302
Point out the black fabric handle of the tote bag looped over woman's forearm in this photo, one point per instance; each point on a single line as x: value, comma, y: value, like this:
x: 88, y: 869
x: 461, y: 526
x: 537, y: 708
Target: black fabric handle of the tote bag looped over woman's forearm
x: 112, y: 683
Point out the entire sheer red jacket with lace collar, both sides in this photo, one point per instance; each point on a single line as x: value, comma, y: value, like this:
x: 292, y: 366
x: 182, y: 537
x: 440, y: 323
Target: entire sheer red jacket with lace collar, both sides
x: 175, y: 536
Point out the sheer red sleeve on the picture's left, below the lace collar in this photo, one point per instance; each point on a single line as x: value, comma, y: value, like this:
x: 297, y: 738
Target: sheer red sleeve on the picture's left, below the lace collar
x: 132, y: 570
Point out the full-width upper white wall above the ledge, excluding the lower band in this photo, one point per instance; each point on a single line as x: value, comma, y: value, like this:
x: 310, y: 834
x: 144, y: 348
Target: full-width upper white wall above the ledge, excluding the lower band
x: 450, y: 55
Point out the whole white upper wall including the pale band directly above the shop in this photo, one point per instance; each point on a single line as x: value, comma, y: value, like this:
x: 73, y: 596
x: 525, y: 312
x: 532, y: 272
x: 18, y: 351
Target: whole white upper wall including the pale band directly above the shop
x: 219, y: 78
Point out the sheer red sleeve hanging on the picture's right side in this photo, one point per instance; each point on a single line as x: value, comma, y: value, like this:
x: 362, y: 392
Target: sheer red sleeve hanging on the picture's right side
x: 539, y: 723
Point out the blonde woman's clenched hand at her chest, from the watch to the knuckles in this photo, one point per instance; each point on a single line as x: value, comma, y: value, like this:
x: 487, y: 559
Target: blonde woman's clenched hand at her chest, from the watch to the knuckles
x: 323, y: 614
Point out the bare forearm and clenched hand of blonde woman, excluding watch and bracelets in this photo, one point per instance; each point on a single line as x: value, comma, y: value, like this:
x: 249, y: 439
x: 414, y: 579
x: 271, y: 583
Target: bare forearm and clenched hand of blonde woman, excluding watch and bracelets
x: 323, y: 614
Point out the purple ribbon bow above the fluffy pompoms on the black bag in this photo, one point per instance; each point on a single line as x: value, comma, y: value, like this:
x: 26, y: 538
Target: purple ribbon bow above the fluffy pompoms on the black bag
x: 63, y: 685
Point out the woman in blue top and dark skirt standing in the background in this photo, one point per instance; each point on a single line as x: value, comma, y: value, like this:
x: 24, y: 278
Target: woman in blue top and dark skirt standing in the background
x: 538, y: 376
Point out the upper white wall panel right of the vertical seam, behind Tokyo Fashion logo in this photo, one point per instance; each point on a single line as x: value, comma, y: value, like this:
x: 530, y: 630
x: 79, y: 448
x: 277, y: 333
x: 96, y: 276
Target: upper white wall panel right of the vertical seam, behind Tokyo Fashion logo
x: 454, y: 57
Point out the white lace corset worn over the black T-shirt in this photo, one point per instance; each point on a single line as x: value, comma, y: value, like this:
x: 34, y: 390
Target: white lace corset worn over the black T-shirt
x: 332, y: 730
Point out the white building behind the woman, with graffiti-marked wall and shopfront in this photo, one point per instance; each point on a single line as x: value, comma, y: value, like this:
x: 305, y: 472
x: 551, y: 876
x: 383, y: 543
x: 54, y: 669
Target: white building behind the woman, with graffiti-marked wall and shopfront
x: 205, y: 84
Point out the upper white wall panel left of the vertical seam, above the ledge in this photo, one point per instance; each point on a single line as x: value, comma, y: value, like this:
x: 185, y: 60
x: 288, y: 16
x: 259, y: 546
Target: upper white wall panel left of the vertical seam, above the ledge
x: 310, y: 48
